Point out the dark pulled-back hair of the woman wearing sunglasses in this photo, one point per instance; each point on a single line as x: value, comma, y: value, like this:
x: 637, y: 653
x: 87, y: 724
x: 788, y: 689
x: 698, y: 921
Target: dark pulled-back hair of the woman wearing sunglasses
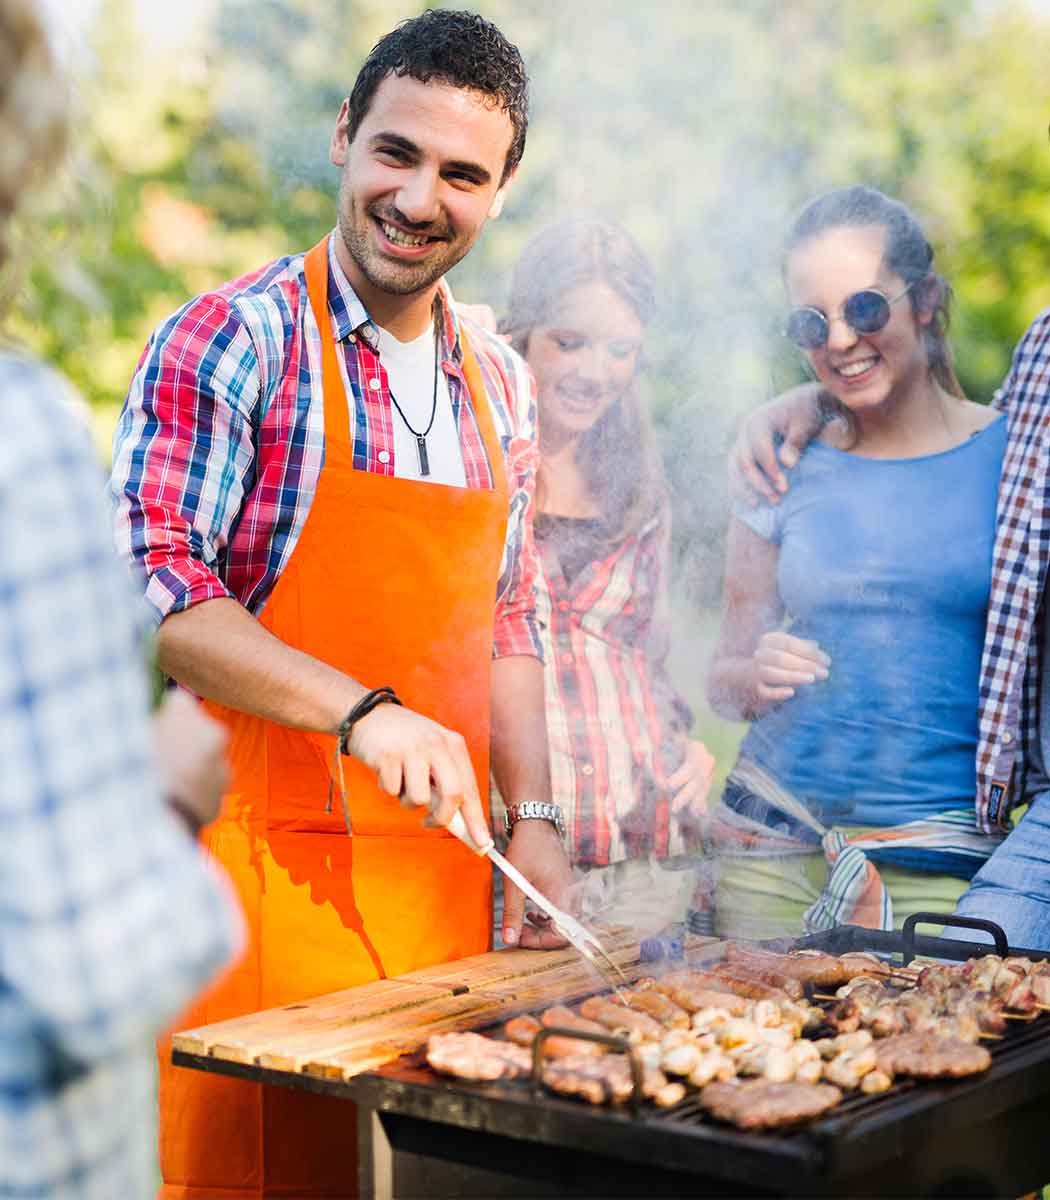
x: 908, y: 254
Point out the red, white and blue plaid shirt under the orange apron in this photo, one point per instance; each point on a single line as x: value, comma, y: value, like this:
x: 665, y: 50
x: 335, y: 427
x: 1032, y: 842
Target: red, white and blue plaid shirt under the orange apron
x: 221, y: 441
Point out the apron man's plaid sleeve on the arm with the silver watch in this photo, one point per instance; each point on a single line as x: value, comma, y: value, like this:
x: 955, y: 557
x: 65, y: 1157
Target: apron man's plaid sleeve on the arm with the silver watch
x: 517, y: 625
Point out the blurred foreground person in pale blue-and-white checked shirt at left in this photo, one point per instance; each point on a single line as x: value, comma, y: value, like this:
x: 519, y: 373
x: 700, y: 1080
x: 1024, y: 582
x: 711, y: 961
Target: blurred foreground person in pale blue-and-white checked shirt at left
x: 111, y: 917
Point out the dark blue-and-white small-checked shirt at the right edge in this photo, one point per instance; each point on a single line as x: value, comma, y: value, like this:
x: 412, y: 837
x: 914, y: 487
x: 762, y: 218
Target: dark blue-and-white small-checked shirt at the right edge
x: 1011, y: 669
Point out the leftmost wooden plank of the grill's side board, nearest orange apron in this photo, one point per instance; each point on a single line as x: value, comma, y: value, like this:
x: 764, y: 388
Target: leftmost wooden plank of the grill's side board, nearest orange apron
x: 244, y: 1039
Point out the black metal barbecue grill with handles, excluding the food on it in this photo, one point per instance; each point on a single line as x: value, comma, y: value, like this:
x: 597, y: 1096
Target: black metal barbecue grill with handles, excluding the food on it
x: 423, y: 1135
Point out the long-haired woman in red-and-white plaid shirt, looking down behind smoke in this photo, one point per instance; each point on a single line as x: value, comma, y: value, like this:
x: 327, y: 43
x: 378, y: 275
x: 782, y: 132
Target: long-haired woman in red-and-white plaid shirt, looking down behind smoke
x: 631, y: 781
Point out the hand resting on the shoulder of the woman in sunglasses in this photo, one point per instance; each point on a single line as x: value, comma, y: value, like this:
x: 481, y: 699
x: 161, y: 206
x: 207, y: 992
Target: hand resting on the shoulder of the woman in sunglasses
x: 755, y: 470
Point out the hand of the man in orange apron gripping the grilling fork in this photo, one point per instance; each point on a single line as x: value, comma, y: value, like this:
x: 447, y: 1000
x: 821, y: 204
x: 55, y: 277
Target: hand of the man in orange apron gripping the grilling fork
x: 422, y: 763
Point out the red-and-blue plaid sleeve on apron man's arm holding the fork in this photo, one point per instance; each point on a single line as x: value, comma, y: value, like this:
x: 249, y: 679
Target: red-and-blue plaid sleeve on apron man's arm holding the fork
x: 184, y: 453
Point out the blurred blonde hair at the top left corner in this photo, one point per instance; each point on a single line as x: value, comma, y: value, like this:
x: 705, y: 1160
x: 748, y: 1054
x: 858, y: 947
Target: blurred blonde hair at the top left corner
x: 34, y: 110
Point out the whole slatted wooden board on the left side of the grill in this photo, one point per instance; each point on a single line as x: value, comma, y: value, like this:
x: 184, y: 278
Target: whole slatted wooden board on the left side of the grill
x: 343, y: 1034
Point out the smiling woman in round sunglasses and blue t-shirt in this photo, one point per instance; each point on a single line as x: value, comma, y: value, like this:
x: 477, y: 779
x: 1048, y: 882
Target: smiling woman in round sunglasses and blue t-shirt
x: 855, y: 610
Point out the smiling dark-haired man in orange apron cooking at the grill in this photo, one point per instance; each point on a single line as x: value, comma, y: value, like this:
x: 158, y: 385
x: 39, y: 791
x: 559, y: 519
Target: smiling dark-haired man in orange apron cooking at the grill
x: 327, y: 482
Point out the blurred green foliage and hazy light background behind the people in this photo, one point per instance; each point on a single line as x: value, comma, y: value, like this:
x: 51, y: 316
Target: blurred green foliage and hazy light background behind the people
x: 699, y: 124
